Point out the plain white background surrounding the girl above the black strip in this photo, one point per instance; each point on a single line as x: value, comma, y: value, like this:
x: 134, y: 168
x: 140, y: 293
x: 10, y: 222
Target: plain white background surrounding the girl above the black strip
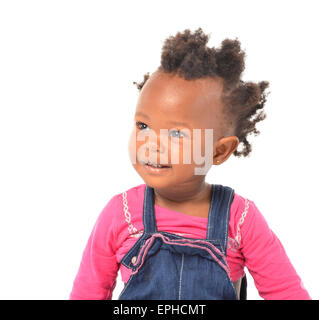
x: 67, y: 104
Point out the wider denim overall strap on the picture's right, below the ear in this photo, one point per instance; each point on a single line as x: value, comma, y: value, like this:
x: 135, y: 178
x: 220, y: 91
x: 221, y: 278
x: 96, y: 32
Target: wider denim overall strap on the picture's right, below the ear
x: 218, y: 216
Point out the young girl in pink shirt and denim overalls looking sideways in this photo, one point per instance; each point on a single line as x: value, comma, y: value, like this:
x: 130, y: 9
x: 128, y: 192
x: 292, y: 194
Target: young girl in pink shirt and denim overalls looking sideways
x: 177, y: 236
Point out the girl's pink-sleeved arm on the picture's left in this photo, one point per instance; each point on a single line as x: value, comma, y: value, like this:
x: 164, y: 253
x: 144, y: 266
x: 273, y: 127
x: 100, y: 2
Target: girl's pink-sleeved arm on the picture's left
x: 96, y: 277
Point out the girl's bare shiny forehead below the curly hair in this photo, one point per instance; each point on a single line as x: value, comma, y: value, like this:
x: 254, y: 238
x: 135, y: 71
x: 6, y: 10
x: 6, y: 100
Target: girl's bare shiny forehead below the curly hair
x: 170, y: 97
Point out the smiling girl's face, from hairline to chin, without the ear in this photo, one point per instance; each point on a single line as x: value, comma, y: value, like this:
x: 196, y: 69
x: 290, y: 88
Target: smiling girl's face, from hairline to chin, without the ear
x: 168, y: 110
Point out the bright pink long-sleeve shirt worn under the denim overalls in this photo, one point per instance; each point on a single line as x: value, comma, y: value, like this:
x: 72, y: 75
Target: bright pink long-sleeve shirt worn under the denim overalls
x: 251, y: 244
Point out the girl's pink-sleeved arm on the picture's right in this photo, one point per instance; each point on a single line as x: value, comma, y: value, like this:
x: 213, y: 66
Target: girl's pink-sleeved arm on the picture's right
x: 275, y: 277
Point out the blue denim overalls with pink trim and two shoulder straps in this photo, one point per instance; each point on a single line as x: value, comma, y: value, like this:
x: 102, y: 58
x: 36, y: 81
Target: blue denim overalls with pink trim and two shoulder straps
x: 166, y: 266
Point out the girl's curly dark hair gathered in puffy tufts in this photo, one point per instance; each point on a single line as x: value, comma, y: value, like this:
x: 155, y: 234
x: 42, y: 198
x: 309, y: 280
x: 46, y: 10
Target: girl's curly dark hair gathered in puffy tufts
x: 187, y: 55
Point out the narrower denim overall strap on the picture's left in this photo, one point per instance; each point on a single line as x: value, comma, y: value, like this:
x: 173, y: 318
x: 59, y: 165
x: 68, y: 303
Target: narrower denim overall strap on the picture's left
x: 149, y: 220
